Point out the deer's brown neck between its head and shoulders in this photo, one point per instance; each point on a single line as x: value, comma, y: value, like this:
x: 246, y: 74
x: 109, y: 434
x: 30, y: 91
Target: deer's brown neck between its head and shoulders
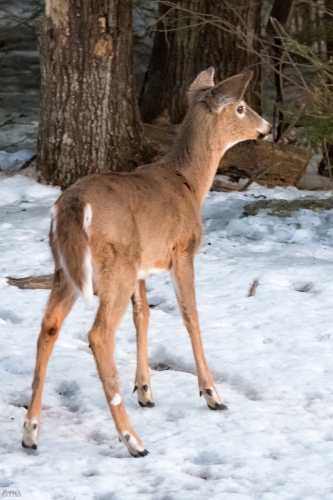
x: 197, y: 151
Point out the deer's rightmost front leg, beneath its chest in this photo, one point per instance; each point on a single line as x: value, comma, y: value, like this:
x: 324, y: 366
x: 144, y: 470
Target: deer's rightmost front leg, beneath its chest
x: 183, y: 276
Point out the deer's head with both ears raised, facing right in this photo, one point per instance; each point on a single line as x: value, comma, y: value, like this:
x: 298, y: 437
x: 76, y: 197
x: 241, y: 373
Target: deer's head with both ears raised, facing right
x: 231, y: 117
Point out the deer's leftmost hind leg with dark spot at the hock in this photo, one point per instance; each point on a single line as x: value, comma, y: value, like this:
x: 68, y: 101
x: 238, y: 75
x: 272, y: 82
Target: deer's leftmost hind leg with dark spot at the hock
x: 62, y: 298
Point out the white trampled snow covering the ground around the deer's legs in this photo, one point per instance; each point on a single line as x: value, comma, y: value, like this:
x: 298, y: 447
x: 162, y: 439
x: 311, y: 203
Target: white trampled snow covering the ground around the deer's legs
x: 270, y: 354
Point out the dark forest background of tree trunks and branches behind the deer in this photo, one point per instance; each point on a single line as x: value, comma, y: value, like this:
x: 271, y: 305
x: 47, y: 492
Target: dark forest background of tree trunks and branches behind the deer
x: 105, y: 68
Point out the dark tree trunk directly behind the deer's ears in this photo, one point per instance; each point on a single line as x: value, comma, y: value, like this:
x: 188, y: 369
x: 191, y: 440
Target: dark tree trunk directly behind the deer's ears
x: 182, y: 49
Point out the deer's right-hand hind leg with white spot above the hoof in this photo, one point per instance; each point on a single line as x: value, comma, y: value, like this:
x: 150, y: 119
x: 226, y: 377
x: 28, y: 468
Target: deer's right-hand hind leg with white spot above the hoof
x: 115, y: 290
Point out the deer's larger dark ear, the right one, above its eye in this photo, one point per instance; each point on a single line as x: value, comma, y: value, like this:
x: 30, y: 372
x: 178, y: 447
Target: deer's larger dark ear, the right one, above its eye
x: 229, y: 91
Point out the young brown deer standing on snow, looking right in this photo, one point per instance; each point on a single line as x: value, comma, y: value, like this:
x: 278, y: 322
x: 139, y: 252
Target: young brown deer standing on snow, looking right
x: 109, y: 232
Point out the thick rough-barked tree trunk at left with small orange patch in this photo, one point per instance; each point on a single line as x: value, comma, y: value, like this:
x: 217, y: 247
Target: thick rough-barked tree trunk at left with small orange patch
x: 89, y: 118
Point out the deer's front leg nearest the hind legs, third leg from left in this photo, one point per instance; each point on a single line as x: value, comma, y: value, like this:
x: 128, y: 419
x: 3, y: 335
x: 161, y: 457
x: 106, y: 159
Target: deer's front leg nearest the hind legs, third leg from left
x: 141, y: 317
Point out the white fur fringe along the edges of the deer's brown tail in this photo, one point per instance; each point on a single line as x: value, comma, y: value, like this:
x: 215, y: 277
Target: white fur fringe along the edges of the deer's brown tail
x: 87, y: 292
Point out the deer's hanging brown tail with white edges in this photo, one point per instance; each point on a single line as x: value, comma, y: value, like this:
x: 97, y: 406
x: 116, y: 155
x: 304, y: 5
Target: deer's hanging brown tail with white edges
x: 70, y: 244
